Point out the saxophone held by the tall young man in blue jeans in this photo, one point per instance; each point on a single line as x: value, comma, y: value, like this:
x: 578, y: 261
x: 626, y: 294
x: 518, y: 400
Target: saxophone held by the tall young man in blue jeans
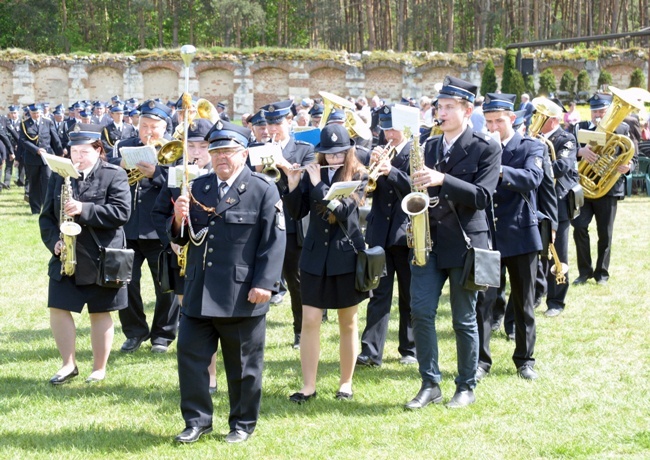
x: 416, y: 205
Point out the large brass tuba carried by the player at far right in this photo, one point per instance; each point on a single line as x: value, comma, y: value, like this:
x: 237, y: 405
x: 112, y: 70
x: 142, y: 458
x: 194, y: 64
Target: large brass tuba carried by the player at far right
x: 599, y: 177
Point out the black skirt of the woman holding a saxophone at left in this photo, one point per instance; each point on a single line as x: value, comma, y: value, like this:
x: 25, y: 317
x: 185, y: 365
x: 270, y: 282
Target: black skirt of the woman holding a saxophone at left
x: 66, y: 295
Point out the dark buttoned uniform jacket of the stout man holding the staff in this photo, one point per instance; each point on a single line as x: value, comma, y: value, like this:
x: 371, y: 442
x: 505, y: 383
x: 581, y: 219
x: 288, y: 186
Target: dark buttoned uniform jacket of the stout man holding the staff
x: 243, y: 248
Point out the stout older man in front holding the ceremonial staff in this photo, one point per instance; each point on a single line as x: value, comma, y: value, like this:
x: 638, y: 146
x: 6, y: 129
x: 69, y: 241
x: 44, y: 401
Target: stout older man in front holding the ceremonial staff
x: 235, y: 229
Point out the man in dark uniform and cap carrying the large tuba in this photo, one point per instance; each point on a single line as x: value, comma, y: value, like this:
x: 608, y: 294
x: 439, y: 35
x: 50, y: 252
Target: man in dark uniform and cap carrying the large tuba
x: 604, y: 208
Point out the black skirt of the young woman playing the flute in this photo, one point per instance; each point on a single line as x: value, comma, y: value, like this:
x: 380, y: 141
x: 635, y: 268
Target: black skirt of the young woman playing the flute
x: 330, y: 292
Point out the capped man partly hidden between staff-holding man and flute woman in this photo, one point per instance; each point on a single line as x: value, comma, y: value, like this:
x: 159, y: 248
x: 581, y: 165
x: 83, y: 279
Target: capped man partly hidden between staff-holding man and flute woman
x: 278, y: 126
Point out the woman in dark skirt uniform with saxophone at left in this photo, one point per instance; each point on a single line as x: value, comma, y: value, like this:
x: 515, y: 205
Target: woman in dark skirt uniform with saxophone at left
x: 101, y: 201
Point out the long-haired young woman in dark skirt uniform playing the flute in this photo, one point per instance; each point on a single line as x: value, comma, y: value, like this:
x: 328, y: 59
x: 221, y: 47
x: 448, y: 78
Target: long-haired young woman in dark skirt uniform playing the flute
x: 328, y: 261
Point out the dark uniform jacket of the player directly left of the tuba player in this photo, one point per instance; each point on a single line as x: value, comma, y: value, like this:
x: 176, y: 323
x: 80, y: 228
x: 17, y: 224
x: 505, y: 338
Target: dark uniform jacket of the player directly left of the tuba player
x: 564, y: 168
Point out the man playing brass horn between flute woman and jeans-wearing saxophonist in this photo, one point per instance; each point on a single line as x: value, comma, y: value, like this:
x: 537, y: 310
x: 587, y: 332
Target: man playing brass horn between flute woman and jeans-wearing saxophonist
x: 387, y: 228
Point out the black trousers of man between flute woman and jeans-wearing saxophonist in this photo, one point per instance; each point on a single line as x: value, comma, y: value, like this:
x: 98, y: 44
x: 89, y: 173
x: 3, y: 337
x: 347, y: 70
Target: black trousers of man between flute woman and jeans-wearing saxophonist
x: 373, y: 338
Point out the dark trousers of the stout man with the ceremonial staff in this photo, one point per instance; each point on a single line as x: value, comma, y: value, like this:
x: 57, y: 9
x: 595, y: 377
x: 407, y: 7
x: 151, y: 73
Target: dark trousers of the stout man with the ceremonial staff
x: 242, y: 345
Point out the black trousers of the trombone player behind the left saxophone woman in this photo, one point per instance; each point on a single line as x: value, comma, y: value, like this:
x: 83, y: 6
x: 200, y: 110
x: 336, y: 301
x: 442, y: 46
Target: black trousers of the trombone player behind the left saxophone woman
x: 165, y: 318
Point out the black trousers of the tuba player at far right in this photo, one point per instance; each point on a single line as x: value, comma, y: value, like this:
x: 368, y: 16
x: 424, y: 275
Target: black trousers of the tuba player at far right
x: 604, y: 209
